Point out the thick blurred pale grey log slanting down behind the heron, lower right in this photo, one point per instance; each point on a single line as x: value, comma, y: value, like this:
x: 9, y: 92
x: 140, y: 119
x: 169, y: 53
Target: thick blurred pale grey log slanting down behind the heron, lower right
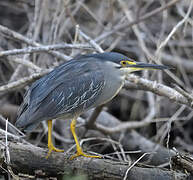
x: 133, y: 141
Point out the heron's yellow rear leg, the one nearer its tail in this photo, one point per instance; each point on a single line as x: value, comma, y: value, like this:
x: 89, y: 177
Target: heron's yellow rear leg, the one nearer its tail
x: 50, y: 145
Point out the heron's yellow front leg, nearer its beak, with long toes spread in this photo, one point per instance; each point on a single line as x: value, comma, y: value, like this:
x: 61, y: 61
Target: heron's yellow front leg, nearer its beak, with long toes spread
x: 78, y: 147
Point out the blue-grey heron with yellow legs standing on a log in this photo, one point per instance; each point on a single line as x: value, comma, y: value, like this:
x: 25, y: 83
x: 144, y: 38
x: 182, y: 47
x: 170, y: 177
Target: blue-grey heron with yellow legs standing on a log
x: 84, y: 82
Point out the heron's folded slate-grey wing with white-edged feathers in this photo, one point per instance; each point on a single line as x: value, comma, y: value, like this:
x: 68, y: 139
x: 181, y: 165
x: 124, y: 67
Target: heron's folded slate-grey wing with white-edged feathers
x: 69, y: 89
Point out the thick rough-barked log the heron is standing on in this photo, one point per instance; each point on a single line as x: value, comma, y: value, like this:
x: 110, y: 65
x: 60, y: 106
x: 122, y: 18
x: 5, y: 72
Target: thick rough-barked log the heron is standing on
x: 29, y: 159
